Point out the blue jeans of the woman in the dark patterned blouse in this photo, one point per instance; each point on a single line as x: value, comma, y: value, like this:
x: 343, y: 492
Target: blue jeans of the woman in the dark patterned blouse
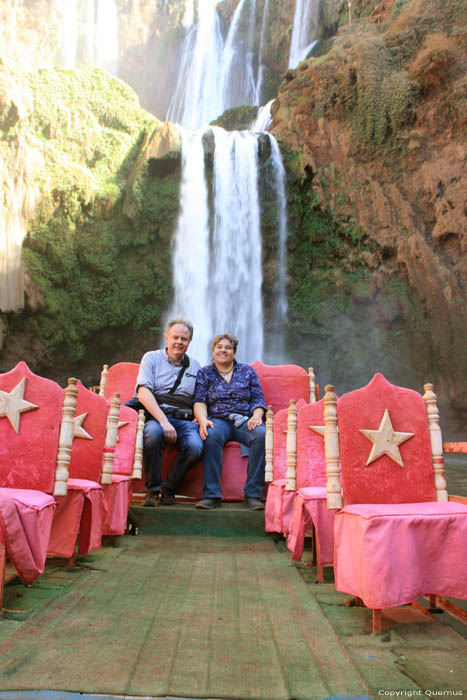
x: 222, y: 432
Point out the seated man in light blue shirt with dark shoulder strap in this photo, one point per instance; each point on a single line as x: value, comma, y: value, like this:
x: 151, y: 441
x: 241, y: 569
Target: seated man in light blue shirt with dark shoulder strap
x: 165, y: 387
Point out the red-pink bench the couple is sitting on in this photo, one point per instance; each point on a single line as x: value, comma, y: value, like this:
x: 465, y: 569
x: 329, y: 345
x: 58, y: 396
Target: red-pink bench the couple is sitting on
x: 279, y: 384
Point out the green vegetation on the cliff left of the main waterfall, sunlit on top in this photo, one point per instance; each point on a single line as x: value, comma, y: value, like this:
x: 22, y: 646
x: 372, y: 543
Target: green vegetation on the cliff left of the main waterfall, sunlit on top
x: 98, y: 269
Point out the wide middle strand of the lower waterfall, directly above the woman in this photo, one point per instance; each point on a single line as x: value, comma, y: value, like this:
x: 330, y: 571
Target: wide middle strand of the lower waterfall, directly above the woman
x: 236, y: 270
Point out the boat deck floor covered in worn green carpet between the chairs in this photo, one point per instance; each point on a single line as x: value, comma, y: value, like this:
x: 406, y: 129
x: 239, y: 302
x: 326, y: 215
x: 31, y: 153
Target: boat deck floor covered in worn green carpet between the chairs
x: 203, y: 604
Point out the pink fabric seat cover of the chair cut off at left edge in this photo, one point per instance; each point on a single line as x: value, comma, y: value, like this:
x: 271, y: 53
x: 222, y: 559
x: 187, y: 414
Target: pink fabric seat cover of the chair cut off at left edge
x: 25, y: 524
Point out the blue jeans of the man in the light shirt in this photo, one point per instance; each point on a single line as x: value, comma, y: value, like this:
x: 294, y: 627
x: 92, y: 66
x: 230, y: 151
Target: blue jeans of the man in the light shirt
x: 188, y: 444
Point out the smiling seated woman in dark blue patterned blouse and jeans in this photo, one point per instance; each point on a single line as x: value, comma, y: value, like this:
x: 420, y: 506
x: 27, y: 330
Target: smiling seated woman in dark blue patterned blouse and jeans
x: 229, y: 405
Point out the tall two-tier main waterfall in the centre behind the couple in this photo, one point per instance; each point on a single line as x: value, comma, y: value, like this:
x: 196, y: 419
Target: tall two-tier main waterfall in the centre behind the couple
x: 217, y: 258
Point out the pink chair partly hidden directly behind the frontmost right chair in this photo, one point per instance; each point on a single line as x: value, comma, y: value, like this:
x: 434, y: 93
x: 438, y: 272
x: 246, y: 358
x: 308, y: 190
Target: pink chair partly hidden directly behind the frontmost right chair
x: 310, y: 512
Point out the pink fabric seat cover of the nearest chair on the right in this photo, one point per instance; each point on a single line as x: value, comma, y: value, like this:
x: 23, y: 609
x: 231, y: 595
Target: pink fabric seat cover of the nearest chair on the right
x: 391, y: 554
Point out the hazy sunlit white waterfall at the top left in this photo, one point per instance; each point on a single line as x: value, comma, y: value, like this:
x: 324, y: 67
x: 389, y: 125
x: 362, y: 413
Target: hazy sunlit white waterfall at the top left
x: 93, y: 25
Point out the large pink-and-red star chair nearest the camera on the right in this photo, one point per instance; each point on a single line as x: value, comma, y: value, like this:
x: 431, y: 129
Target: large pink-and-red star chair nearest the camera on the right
x: 397, y: 537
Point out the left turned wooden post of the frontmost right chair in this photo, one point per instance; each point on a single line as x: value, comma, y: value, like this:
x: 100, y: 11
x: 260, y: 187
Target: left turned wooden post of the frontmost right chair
x: 331, y: 449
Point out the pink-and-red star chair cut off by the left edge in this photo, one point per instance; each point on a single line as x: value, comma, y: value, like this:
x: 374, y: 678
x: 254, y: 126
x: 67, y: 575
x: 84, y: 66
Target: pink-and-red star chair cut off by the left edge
x: 36, y: 434
